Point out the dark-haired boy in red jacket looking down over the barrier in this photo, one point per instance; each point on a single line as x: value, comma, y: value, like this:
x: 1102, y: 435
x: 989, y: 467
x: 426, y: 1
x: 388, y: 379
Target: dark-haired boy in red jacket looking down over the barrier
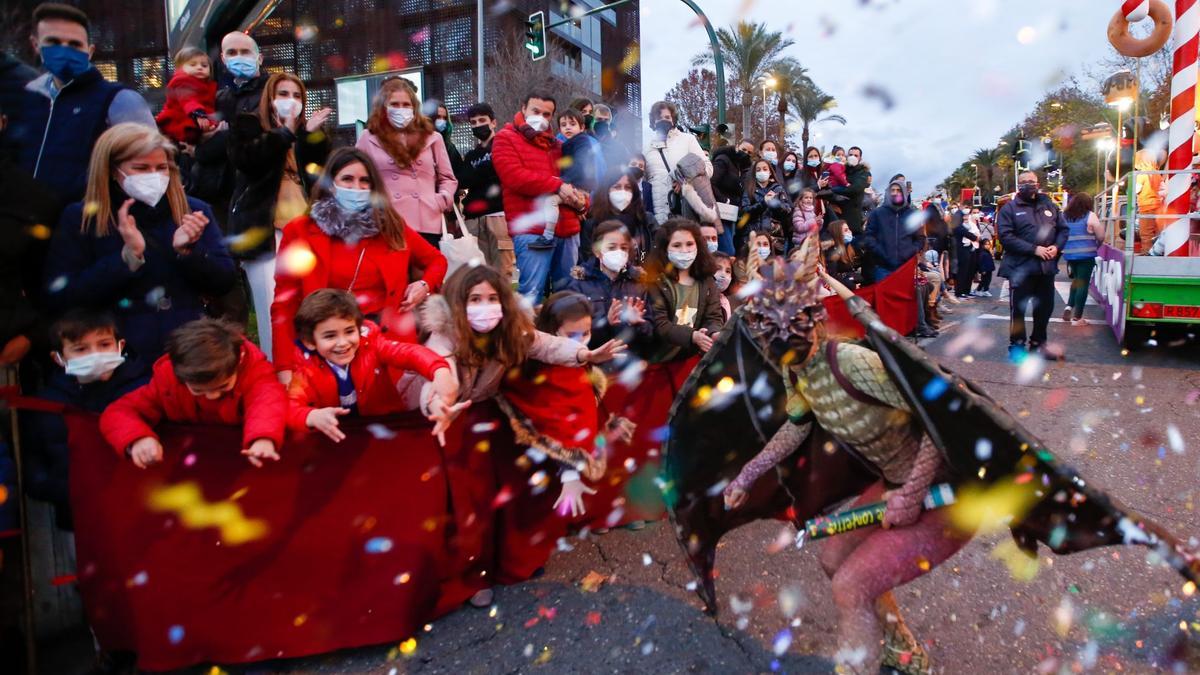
x: 211, y: 375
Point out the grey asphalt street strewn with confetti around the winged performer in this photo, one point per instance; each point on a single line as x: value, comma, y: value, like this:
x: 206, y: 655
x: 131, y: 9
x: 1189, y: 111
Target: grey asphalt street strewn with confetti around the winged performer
x: 1130, y: 423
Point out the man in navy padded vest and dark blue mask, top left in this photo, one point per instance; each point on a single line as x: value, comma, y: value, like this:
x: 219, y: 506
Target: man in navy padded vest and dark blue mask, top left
x: 67, y: 110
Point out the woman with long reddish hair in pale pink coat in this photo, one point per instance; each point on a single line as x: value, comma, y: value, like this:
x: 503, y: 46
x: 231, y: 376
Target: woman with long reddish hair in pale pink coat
x: 412, y: 158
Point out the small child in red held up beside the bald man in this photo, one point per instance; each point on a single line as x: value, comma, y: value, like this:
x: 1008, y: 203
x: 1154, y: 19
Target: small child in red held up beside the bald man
x: 191, y: 98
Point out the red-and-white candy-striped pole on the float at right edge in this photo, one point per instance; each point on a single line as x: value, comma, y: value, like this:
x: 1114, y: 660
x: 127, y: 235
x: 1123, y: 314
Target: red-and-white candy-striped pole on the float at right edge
x: 1184, y: 103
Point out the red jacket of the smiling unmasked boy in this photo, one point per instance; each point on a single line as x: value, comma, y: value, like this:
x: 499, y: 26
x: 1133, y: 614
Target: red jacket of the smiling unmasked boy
x: 315, y: 386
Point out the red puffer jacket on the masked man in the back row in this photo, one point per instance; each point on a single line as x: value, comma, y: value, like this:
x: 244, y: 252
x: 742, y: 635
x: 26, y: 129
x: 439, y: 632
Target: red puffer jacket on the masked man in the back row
x: 527, y: 172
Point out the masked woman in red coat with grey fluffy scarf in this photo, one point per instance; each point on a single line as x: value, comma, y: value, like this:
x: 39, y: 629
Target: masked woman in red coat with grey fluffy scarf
x: 352, y: 240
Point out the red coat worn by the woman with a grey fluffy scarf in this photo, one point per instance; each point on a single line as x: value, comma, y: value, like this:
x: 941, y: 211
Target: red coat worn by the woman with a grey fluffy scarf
x: 291, y: 289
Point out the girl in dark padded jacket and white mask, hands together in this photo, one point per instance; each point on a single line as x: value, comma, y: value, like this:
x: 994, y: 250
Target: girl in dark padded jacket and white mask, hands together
x: 614, y: 285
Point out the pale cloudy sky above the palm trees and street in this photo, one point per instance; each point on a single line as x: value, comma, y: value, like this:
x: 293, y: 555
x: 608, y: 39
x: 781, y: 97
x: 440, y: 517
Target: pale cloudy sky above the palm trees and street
x: 961, y: 73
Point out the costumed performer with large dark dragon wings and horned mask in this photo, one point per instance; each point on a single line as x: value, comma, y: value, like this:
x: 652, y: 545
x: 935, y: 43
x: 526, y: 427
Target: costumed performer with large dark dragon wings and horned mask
x: 781, y: 421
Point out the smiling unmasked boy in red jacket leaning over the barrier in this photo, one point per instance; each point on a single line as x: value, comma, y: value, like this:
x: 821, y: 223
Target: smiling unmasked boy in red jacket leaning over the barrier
x: 339, y: 372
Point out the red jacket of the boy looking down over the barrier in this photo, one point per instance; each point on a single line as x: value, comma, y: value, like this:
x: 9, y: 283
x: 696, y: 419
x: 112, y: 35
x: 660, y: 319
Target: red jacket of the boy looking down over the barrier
x: 259, y: 403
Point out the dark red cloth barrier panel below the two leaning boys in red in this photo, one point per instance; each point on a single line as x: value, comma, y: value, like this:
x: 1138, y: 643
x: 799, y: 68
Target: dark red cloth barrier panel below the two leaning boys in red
x: 353, y: 551
